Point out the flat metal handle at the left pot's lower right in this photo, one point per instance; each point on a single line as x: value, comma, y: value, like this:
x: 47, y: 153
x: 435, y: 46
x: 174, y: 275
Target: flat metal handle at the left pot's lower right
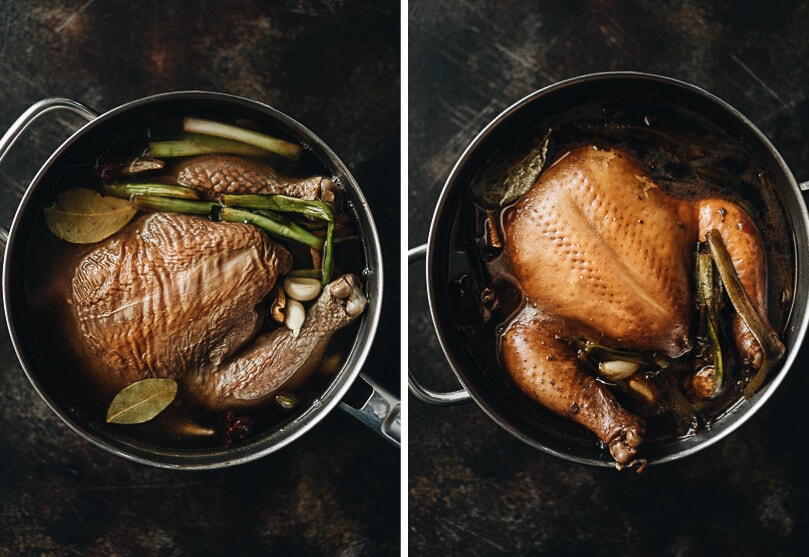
x: 376, y: 408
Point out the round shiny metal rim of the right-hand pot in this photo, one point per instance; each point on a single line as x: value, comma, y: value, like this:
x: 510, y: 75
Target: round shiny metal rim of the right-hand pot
x: 735, y: 416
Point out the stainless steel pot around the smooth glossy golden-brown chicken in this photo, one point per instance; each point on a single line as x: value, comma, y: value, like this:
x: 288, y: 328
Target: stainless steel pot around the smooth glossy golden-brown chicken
x: 610, y: 99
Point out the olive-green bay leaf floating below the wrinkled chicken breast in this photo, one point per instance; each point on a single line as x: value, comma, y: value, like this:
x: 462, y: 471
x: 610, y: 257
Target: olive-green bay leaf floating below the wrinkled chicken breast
x: 141, y: 401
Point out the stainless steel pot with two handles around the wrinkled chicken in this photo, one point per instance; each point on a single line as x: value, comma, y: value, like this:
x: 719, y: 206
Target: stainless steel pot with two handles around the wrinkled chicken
x: 371, y: 404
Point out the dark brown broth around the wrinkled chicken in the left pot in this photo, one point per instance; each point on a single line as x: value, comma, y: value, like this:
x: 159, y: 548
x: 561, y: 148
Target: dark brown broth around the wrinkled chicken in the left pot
x: 46, y: 286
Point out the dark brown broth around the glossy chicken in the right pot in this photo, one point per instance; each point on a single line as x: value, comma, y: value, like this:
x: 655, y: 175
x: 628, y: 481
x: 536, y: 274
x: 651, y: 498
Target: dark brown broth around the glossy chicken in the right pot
x: 688, y: 157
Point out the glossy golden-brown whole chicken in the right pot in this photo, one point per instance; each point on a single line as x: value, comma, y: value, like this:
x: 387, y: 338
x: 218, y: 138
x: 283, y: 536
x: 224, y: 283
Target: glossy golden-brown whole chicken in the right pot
x: 602, y: 253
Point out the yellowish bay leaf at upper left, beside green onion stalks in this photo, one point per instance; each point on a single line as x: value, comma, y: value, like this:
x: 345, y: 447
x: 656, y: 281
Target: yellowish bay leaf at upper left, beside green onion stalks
x: 84, y: 216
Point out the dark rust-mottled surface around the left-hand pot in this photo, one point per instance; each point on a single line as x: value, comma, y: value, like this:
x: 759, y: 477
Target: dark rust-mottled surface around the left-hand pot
x: 334, y: 66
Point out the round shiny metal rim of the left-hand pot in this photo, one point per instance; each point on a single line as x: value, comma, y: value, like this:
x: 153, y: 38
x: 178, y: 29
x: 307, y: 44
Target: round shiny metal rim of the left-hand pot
x: 339, y: 385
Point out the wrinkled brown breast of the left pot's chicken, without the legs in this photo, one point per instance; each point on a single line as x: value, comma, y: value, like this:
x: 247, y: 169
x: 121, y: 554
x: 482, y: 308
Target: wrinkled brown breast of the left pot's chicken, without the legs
x: 172, y: 293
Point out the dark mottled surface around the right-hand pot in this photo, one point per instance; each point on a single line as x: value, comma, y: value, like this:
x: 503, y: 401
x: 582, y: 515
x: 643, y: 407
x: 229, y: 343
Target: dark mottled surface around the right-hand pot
x: 474, y: 489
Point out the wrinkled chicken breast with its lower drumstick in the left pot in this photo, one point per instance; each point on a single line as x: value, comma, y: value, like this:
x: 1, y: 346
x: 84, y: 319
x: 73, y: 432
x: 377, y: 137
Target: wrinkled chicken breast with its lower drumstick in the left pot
x: 179, y: 296
